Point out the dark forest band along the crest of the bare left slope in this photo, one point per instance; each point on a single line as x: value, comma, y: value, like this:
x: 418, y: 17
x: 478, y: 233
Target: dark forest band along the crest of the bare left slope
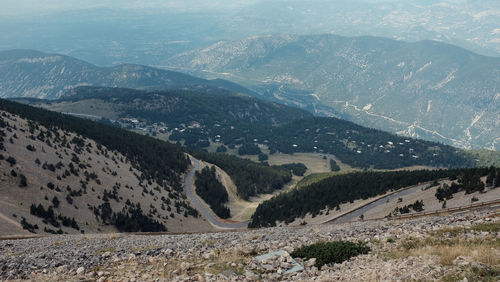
x: 160, y: 161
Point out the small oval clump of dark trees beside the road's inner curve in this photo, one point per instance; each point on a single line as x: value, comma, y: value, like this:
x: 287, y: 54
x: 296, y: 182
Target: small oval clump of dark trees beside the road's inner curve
x: 209, y: 188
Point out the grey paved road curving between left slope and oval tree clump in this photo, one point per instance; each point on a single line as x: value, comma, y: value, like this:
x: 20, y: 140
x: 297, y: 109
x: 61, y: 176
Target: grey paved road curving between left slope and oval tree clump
x: 206, y: 212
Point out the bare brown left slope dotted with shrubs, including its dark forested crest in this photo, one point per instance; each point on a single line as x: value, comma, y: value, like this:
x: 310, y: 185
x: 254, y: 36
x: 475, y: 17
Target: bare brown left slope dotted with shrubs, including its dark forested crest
x: 65, y: 174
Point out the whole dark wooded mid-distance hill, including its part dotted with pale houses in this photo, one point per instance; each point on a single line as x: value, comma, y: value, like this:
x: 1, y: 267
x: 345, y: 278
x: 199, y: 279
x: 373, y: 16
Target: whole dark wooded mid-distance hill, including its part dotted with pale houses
x: 198, y: 118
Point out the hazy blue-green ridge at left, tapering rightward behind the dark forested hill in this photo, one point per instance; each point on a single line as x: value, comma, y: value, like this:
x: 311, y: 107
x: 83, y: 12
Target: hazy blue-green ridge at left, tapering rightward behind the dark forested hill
x: 29, y: 73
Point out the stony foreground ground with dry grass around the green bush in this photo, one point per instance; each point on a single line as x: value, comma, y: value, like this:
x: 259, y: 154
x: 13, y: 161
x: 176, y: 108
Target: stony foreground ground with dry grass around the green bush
x: 453, y: 247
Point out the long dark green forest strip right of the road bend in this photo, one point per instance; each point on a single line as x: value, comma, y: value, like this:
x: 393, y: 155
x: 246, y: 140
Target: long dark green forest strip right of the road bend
x: 343, y: 188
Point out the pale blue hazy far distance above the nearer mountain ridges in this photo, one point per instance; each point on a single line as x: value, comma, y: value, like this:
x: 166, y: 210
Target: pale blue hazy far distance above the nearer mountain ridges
x: 141, y: 35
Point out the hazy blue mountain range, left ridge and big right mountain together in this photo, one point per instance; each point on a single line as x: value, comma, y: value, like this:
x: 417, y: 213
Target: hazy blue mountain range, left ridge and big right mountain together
x: 427, y: 89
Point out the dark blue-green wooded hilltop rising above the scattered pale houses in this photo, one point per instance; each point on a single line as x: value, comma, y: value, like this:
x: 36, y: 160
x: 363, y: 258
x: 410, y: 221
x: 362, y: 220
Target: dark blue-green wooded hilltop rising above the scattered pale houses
x: 175, y: 107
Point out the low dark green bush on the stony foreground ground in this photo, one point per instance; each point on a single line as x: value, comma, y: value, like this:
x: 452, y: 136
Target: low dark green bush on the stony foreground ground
x: 328, y: 252
